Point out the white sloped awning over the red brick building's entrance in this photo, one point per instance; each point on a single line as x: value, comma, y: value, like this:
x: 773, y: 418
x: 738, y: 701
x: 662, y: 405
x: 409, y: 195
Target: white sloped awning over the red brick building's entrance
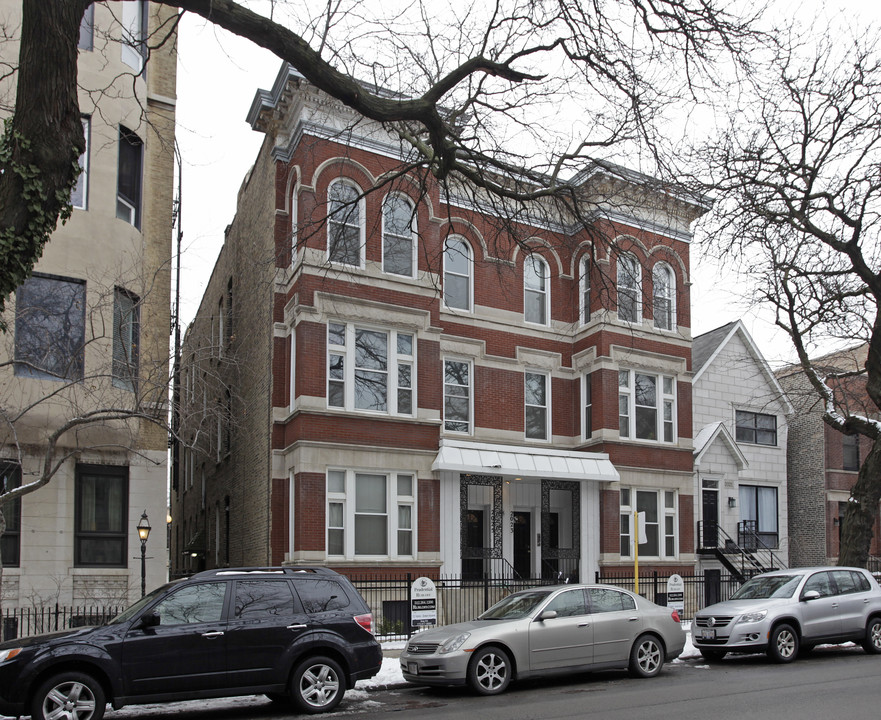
x: 521, y: 461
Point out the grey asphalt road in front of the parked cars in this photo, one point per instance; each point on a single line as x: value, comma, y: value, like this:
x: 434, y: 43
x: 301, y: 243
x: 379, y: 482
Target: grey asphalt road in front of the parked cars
x: 831, y: 683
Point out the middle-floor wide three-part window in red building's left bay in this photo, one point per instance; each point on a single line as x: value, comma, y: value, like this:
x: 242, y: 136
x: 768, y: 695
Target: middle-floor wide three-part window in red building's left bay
x: 370, y: 369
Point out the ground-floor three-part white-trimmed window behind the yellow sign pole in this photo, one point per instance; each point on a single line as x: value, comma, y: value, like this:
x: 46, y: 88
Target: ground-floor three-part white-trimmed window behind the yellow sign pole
x: 660, y: 525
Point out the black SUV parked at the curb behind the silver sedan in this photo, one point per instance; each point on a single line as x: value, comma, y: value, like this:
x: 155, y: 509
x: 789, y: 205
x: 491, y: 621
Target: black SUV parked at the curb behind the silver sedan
x: 302, y: 633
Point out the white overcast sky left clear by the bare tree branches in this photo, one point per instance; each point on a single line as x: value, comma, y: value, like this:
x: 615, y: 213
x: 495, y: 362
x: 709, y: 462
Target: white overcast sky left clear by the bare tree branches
x: 218, y: 75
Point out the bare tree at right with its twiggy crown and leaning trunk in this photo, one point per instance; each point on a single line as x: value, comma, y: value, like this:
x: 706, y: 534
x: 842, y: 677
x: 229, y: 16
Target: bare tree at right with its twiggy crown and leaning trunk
x: 798, y: 181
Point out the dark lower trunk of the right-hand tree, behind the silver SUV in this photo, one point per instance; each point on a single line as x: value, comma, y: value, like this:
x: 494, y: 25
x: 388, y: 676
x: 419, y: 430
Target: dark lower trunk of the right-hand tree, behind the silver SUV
x: 862, y: 508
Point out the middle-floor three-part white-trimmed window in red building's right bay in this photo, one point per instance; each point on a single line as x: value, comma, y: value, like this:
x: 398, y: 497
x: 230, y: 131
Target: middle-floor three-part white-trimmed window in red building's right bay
x: 646, y: 406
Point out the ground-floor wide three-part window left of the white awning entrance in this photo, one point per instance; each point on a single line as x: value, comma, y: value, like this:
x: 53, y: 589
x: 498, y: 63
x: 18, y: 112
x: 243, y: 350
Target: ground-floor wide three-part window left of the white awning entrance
x: 371, y: 515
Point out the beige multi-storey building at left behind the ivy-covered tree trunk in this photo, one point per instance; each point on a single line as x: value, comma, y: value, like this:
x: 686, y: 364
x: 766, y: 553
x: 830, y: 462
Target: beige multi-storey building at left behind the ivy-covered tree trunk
x: 89, y: 331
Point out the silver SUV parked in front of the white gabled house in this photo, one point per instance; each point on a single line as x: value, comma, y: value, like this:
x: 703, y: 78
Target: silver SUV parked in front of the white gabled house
x: 786, y: 611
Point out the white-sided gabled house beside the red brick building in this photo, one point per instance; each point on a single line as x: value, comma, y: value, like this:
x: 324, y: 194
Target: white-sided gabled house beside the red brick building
x: 740, y: 433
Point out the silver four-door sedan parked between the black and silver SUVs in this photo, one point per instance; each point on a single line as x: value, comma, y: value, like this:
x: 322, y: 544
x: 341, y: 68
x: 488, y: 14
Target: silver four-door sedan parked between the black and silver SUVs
x: 547, y: 631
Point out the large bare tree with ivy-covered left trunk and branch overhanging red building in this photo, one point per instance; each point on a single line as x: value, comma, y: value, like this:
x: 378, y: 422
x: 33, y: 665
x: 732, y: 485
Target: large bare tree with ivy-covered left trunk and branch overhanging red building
x: 474, y: 94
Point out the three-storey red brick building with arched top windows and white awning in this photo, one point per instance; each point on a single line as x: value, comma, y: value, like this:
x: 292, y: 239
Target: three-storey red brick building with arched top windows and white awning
x: 386, y: 373
